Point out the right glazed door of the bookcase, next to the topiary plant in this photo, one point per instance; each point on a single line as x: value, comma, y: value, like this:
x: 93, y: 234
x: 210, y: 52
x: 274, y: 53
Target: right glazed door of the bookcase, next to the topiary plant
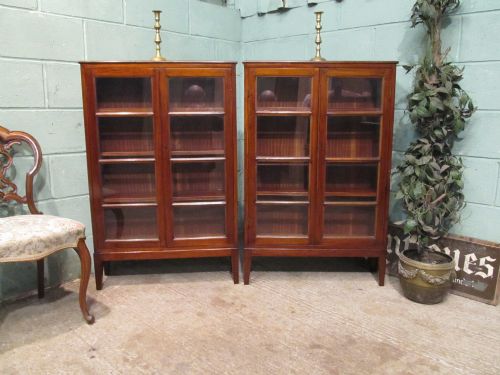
x: 353, y: 156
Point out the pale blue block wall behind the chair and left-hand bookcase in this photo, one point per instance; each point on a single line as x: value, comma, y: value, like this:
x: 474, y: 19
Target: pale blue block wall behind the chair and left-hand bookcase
x: 41, y: 43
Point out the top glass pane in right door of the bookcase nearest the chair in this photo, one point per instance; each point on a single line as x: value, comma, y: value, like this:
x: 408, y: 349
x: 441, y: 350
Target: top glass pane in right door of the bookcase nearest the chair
x: 196, y: 94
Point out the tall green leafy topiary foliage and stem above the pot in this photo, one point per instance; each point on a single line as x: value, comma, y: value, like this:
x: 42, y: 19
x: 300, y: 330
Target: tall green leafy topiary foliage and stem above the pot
x: 431, y: 185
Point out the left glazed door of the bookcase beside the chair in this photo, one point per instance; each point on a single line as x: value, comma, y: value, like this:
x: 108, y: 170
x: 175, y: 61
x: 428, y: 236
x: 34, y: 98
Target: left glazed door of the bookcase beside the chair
x: 126, y: 164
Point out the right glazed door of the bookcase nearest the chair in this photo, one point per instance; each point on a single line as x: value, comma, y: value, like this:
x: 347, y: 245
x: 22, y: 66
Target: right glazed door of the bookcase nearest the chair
x: 199, y: 149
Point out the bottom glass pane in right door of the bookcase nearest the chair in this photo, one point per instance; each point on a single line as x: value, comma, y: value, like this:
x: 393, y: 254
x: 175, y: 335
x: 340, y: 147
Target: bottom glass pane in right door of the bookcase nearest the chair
x: 199, y: 221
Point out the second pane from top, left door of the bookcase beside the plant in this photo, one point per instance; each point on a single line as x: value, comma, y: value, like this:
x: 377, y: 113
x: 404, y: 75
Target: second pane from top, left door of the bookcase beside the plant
x: 283, y: 136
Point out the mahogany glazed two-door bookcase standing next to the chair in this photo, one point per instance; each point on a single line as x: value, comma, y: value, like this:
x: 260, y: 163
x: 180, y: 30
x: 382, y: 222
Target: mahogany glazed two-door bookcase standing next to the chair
x: 161, y: 156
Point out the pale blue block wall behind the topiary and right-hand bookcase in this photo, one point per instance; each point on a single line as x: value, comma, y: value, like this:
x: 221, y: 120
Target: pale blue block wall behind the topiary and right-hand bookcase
x: 380, y: 30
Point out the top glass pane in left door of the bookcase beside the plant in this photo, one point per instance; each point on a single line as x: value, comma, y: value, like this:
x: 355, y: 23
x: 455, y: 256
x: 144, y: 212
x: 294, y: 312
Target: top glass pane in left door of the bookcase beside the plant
x: 284, y: 93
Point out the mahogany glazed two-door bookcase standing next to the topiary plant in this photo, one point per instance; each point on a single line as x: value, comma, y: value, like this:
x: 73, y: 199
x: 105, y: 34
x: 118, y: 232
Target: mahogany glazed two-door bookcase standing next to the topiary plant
x: 318, y: 143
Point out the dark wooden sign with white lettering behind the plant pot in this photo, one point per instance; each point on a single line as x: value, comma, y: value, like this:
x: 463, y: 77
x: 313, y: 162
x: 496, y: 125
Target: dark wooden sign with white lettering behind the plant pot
x: 477, y: 263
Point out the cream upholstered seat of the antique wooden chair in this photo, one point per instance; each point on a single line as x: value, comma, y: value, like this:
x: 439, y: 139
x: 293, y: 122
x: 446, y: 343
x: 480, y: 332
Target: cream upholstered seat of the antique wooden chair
x: 33, y: 237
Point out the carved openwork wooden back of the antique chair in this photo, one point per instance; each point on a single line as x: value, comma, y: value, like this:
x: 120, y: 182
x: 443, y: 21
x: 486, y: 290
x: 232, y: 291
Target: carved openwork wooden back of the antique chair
x: 8, y: 189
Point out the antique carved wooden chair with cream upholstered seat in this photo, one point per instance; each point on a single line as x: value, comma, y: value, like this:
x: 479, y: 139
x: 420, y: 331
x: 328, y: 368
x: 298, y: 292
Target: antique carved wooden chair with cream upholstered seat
x: 27, y: 238
